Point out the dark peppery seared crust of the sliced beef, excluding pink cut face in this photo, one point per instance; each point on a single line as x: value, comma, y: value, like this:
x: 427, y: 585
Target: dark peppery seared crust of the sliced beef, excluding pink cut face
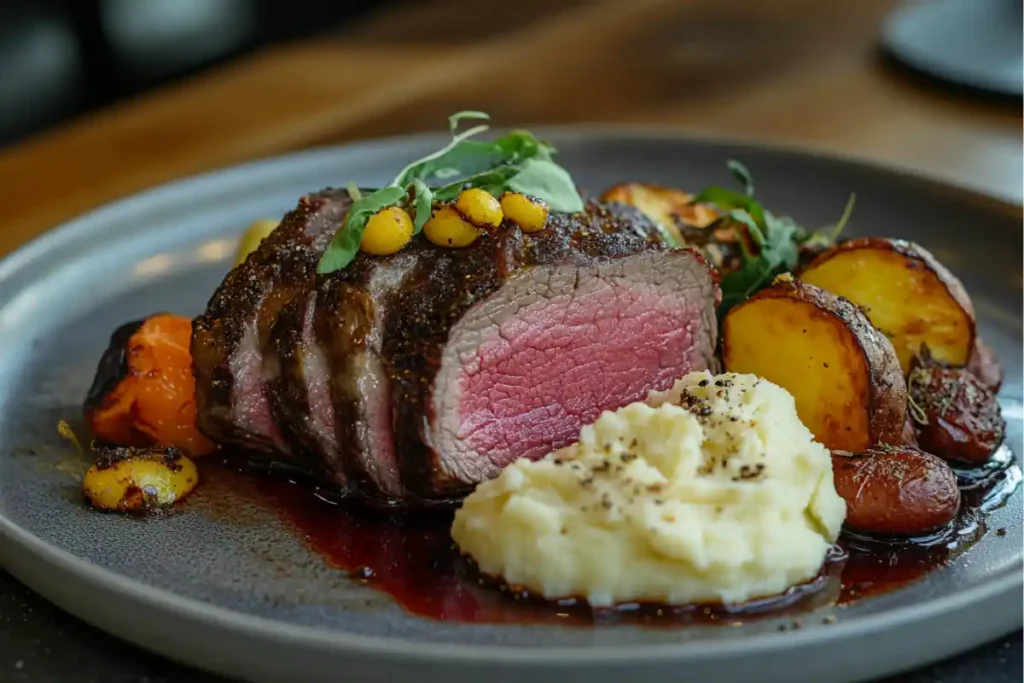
x: 382, y: 325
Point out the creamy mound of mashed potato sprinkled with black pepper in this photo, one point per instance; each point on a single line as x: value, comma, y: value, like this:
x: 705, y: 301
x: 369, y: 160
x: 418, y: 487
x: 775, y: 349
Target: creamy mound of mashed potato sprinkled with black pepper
x: 713, y: 491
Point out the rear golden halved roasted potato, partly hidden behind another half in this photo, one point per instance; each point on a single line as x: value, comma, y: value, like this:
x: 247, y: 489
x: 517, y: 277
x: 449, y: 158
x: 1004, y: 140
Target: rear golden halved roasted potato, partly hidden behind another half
x: 906, y: 292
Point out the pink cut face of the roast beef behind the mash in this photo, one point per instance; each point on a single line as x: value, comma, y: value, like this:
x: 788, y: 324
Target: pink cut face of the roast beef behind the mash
x: 561, y: 349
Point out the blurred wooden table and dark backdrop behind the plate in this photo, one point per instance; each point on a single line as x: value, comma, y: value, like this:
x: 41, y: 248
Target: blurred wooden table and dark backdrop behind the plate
x: 106, y: 98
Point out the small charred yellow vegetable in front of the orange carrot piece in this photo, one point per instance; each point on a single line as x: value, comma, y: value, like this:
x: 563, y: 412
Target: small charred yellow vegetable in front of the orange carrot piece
x: 140, y: 481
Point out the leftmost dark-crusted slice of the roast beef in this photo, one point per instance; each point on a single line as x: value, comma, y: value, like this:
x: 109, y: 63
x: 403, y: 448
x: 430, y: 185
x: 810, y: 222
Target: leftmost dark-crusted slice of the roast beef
x: 231, y: 336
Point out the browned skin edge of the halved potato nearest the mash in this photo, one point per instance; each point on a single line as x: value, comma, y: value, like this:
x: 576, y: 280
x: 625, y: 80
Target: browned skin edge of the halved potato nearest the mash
x: 887, y: 388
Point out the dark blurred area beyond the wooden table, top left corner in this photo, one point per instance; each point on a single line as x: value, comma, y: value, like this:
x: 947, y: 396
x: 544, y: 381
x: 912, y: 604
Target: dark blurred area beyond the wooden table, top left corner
x: 60, y: 59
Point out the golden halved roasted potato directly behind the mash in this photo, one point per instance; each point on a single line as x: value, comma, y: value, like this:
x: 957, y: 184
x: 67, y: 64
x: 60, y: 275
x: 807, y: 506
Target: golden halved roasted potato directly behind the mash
x: 843, y: 374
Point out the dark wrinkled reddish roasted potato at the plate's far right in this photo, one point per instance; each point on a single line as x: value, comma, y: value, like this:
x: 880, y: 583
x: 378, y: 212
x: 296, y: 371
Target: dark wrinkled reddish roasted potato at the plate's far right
x: 958, y: 418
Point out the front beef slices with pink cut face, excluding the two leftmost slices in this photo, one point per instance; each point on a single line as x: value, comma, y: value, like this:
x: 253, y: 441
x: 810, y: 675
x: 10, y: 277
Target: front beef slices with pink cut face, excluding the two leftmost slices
x: 447, y: 365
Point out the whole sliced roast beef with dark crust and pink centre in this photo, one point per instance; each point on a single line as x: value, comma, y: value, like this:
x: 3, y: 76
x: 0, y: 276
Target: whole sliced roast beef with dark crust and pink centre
x: 409, y: 379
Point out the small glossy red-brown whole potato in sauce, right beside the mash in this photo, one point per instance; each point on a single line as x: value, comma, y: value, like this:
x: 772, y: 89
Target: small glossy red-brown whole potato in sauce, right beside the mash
x: 899, y: 492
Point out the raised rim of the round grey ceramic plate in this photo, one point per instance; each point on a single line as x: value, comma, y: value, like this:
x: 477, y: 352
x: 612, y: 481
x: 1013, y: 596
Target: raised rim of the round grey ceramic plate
x: 23, y: 552
